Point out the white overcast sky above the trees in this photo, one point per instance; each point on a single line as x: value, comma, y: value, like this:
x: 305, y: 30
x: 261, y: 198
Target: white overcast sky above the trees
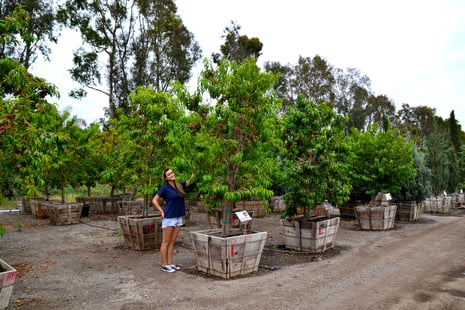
x: 412, y: 50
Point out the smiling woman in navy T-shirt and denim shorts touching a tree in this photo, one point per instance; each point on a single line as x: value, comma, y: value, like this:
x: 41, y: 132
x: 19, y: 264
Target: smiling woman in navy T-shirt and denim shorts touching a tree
x: 174, y: 209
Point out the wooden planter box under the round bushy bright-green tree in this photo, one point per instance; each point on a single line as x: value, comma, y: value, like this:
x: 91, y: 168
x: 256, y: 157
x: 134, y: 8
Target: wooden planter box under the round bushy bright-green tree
x: 376, y: 218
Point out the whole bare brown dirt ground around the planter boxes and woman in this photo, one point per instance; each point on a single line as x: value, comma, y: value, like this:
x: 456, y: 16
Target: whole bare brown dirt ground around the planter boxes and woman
x: 415, y: 265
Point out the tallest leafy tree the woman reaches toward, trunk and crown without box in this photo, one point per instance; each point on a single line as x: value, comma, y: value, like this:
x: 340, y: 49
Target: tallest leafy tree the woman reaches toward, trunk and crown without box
x: 240, y: 133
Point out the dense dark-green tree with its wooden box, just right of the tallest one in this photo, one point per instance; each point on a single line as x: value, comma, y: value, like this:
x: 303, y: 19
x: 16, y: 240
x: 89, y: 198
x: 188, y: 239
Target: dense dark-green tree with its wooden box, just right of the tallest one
x: 316, y: 169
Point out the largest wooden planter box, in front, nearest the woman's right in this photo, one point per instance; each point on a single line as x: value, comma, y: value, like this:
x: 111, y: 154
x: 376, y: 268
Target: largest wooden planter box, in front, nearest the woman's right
x: 228, y: 256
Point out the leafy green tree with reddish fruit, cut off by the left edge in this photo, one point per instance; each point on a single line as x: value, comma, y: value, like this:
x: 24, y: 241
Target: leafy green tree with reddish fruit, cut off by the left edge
x: 21, y: 138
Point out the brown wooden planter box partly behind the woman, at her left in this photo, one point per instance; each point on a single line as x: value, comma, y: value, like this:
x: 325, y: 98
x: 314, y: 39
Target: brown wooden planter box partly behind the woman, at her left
x: 141, y: 232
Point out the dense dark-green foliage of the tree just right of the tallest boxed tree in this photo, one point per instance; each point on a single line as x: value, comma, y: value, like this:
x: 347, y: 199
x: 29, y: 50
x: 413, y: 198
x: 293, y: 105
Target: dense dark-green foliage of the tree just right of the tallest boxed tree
x: 316, y: 162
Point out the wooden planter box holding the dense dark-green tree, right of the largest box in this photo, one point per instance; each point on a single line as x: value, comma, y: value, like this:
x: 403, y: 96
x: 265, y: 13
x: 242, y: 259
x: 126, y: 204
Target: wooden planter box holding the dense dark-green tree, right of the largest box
x: 310, y: 234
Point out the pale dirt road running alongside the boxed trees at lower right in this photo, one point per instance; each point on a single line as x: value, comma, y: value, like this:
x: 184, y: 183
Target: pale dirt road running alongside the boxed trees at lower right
x: 399, y: 269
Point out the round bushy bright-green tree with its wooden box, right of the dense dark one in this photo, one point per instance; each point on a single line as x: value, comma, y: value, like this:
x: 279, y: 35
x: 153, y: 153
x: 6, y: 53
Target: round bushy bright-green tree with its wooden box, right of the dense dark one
x: 383, y: 159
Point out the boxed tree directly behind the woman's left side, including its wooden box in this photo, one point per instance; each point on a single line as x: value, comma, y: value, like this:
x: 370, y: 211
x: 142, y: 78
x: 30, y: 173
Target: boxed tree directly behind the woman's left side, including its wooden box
x: 142, y: 153
